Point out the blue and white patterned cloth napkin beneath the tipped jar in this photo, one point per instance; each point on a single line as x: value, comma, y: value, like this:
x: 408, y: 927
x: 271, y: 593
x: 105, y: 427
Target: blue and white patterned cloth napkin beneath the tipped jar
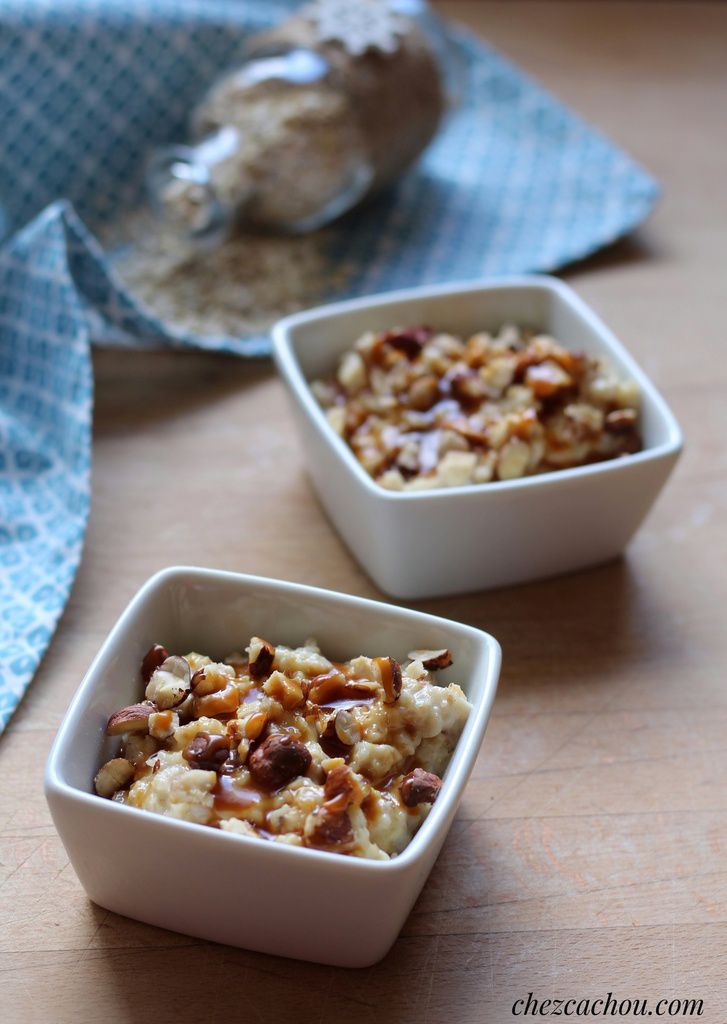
x: 515, y: 183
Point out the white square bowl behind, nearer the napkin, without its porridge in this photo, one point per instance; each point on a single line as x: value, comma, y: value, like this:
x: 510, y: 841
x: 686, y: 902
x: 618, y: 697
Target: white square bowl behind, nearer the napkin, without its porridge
x: 425, y: 544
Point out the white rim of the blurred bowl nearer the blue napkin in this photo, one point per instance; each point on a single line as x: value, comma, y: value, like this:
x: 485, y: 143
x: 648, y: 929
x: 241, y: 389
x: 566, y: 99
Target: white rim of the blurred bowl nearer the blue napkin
x: 290, y: 369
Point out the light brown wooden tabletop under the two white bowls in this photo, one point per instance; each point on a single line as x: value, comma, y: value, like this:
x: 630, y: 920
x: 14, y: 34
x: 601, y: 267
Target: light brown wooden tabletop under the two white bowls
x: 589, y: 852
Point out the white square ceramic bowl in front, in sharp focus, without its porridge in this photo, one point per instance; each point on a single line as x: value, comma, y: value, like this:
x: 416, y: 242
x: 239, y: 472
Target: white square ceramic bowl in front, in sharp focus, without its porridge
x: 274, y: 899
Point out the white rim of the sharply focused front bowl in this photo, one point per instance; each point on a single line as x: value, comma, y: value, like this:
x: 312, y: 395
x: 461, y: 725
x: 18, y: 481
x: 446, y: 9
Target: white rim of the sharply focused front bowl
x: 462, y: 761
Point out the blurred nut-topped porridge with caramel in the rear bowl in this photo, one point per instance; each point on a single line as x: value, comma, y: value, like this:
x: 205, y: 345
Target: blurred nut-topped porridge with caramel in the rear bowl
x: 424, y: 410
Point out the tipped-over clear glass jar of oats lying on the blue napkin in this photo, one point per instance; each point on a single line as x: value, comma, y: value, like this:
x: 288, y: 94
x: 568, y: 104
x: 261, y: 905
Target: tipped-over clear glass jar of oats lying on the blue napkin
x: 330, y: 107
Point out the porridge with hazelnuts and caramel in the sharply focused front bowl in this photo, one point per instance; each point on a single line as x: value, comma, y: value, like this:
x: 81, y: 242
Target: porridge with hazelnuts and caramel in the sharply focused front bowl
x: 285, y: 745
